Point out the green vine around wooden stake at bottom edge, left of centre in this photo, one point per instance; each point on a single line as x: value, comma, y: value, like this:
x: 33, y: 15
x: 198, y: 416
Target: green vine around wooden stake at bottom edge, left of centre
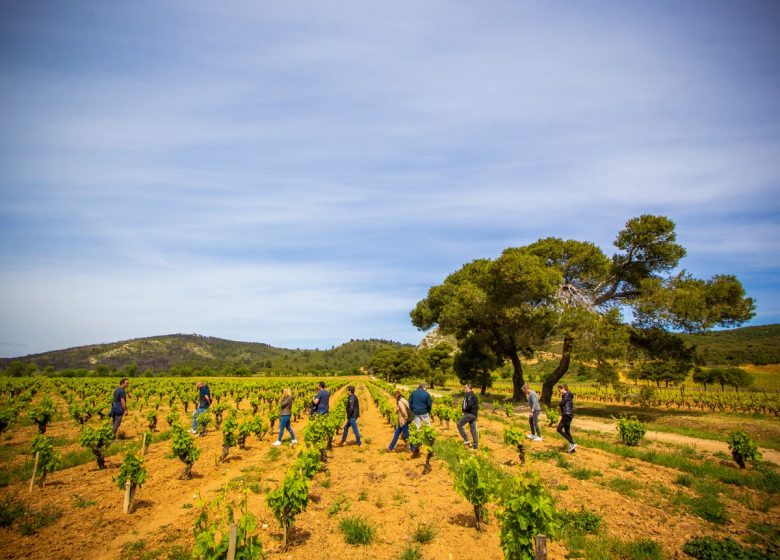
x: 212, y: 531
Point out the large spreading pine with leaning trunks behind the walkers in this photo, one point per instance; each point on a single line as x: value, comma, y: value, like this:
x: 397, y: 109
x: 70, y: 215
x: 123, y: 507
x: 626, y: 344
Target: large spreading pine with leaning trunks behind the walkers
x: 562, y: 288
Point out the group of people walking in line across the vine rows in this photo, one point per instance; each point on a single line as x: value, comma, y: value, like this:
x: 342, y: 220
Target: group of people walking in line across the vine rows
x: 416, y: 409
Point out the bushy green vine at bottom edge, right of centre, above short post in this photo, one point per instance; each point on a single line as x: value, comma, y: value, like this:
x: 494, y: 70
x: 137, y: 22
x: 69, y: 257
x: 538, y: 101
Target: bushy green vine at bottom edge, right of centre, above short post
x: 526, y: 510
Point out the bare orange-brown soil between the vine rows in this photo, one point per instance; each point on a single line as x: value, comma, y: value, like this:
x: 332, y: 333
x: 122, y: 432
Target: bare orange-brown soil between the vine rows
x: 387, y: 488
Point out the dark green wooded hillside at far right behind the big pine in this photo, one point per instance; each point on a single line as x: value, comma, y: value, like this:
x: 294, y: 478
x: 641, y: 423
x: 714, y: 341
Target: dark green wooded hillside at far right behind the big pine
x: 746, y: 345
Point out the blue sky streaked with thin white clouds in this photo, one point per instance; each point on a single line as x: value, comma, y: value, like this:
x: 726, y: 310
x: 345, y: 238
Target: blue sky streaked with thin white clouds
x: 301, y: 173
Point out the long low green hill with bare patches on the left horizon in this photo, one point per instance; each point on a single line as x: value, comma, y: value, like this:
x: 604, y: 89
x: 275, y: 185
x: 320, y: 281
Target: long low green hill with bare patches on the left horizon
x: 163, y: 353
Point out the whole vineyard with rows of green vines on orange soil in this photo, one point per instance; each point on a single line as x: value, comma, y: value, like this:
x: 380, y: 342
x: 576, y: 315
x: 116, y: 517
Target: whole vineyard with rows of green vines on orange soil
x: 616, y: 497
